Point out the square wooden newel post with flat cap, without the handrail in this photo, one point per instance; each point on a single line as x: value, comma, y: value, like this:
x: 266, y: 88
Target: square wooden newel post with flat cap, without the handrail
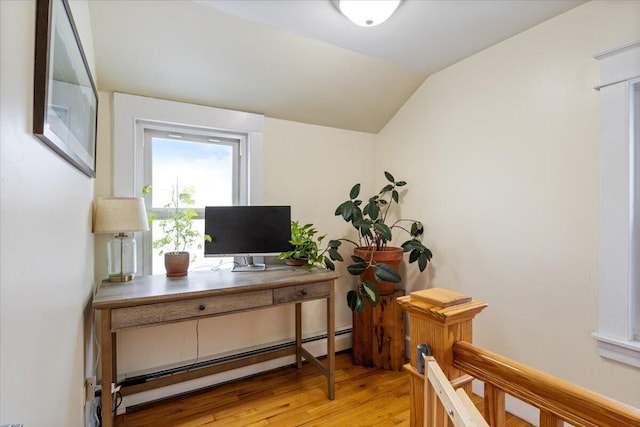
x: 440, y: 318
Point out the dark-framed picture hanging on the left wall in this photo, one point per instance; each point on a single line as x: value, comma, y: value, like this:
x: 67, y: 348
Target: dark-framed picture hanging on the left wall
x: 65, y: 100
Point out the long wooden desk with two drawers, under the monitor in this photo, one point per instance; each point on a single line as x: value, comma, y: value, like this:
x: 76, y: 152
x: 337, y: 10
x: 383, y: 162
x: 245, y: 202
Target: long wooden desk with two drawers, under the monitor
x: 157, y: 299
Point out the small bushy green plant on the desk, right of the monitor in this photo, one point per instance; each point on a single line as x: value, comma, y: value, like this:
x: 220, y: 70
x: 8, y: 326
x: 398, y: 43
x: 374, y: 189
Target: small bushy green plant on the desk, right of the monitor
x: 305, y: 247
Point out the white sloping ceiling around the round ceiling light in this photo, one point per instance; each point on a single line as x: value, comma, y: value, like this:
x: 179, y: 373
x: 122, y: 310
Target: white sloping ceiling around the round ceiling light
x: 297, y: 60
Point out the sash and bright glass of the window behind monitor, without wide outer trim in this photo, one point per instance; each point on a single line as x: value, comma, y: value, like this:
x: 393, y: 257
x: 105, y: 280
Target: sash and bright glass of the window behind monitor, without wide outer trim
x: 207, y: 161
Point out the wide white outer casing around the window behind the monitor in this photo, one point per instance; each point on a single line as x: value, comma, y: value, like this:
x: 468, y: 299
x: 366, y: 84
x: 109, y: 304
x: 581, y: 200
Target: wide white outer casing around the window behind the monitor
x: 132, y: 113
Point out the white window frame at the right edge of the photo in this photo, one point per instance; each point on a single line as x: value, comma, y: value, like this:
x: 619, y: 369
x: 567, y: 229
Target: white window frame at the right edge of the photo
x: 619, y: 279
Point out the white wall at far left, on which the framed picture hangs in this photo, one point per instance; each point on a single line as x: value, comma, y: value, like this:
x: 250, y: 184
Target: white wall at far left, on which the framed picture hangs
x: 46, y: 246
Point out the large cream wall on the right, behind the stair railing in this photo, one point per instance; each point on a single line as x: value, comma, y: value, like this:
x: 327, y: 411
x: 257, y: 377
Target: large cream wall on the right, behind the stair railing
x: 501, y: 155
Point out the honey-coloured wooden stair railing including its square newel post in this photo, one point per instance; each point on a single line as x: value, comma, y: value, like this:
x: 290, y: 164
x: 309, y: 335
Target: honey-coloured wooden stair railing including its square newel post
x: 443, y: 321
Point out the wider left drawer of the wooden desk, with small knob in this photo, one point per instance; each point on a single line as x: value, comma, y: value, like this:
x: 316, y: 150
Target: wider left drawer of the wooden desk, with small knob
x: 151, y: 314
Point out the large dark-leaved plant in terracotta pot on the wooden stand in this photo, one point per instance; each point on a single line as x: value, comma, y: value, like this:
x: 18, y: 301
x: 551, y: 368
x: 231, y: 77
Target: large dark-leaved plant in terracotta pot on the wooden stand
x: 374, y: 260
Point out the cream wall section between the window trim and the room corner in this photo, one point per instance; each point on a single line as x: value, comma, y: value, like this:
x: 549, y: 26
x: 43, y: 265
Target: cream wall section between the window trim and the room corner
x: 313, y: 168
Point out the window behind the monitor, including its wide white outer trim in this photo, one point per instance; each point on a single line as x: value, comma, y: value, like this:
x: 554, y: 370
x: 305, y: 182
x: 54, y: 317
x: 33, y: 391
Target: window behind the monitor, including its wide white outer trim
x: 148, y: 127
